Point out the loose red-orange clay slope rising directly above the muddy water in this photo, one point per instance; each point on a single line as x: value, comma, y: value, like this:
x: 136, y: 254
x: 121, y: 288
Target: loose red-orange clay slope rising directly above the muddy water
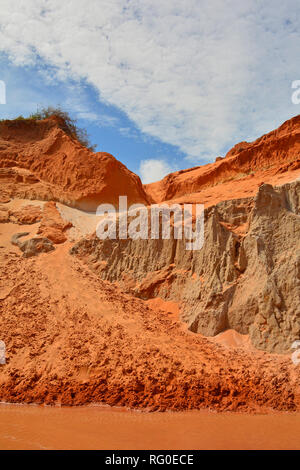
x: 74, y: 339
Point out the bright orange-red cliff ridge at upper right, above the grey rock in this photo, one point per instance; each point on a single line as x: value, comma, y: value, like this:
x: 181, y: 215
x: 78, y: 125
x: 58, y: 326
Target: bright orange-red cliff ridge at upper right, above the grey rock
x: 273, y: 158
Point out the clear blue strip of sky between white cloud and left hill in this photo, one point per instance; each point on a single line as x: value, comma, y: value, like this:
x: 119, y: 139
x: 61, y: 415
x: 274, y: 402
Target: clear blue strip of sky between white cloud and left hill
x: 108, y: 127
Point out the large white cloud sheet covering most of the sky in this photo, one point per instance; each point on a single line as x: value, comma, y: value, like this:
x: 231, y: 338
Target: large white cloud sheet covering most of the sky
x: 197, y: 74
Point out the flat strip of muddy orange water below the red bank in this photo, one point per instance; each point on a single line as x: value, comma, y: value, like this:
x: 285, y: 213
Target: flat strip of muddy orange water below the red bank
x: 39, y: 427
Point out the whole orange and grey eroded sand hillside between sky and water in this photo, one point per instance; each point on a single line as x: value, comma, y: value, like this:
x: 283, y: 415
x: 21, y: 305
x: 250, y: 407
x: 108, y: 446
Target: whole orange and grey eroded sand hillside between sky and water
x: 105, y: 325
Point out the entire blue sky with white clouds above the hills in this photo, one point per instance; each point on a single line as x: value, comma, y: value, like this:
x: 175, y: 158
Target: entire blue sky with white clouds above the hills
x: 160, y: 85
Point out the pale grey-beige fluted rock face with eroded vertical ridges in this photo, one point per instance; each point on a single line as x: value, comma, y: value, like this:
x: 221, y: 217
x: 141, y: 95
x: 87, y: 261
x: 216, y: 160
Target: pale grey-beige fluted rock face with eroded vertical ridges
x: 246, y: 276
